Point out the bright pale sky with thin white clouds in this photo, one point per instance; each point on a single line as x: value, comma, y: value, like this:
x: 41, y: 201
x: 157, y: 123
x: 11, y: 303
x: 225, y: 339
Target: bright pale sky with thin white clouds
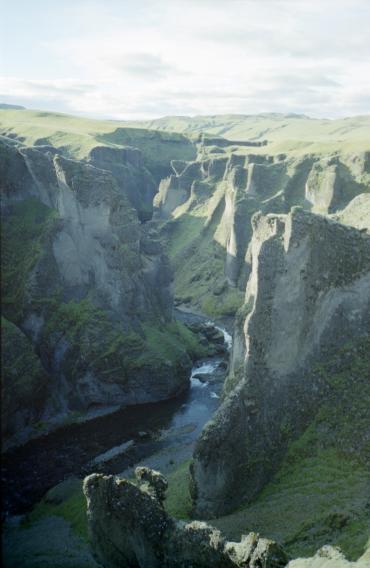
x: 142, y: 59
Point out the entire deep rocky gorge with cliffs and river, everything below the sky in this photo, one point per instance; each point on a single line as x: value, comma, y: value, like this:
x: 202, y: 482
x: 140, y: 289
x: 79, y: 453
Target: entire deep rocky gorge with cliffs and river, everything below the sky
x: 120, y: 242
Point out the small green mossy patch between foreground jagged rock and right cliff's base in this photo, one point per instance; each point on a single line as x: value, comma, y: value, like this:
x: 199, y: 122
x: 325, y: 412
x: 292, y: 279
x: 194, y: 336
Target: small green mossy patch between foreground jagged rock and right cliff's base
x: 178, y: 501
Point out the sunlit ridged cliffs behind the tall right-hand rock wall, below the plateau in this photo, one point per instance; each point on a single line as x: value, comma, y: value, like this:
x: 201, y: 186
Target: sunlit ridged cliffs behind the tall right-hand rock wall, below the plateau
x: 209, y: 204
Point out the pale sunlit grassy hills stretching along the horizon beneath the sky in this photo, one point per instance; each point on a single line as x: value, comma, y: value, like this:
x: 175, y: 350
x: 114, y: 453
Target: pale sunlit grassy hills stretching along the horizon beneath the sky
x: 285, y: 132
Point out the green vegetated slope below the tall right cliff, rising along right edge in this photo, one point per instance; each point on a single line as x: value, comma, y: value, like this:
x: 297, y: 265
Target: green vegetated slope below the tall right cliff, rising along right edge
x: 320, y: 493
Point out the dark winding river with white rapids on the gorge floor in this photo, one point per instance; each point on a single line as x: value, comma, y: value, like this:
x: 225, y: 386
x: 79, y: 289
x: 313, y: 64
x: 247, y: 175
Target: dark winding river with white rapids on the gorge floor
x: 159, y: 435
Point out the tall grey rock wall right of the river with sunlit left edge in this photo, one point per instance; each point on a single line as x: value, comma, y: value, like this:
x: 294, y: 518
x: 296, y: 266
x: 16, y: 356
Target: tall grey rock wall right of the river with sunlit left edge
x: 307, y: 295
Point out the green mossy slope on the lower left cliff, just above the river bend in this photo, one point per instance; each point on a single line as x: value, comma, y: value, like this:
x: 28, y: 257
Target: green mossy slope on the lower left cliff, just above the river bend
x: 93, y: 340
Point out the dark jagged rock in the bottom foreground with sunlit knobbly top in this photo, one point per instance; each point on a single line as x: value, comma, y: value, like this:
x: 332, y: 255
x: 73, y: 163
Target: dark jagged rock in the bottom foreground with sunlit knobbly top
x: 129, y: 527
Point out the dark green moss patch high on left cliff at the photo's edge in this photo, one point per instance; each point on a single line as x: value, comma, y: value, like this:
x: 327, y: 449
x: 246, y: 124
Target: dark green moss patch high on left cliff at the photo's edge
x: 23, y: 234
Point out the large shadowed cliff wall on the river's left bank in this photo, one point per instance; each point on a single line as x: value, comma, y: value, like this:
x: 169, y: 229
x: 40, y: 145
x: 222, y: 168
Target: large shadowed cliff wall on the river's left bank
x: 88, y: 285
